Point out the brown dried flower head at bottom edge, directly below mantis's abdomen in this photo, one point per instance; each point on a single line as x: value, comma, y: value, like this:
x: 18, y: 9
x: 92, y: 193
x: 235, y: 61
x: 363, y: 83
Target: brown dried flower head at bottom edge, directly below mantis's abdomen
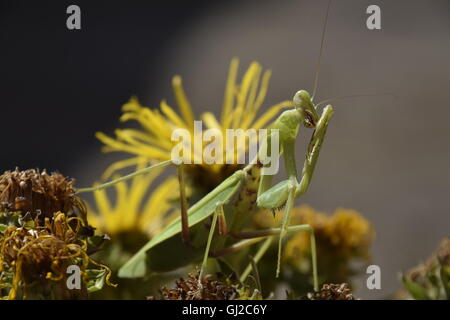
x: 193, y: 289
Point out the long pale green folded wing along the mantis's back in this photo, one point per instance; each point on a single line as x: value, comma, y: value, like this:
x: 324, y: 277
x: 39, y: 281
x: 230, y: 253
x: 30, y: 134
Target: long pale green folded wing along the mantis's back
x: 136, y: 266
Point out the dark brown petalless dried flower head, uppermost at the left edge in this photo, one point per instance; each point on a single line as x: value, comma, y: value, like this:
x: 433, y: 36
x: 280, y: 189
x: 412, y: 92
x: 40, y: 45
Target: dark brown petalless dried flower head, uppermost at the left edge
x: 39, y: 194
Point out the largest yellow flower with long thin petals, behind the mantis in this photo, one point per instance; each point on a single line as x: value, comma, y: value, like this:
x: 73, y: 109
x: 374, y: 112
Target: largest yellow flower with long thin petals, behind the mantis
x: 242, y: 102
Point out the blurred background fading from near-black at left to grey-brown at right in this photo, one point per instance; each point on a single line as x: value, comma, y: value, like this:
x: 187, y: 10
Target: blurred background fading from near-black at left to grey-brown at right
x: 385, y: 157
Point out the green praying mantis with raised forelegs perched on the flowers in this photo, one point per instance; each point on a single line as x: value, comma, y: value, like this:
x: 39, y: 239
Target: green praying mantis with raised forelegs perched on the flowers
x: 228, y: 207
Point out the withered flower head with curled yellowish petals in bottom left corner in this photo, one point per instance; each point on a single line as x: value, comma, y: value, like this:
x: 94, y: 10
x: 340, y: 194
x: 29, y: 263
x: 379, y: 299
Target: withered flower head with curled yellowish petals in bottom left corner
x: 39, y: 256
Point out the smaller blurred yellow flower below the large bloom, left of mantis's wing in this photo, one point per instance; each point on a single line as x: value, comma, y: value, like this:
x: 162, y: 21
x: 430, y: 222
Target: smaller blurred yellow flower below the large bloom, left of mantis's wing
x: 134, y: 210
